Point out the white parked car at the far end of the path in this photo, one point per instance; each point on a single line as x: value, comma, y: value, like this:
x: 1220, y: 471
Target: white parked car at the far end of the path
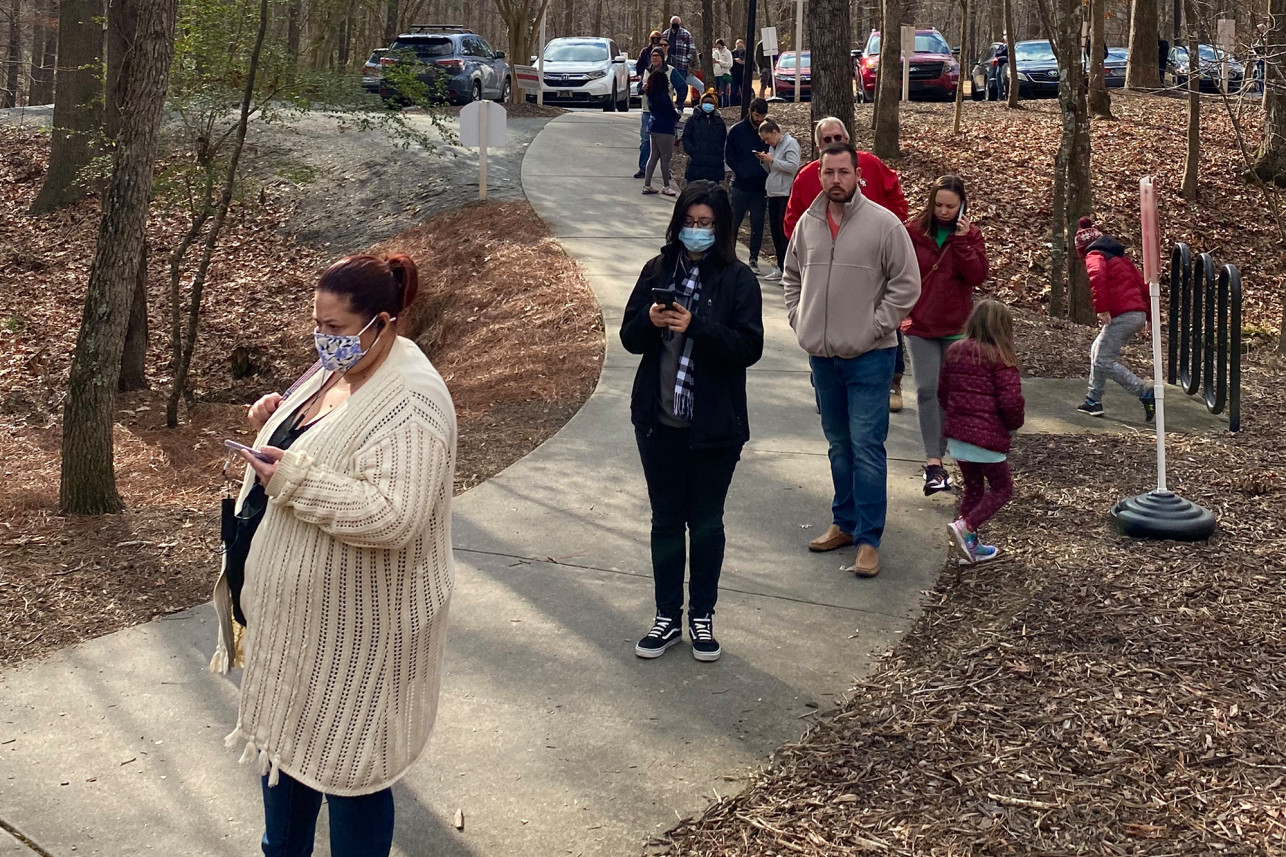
x: 586, y: 71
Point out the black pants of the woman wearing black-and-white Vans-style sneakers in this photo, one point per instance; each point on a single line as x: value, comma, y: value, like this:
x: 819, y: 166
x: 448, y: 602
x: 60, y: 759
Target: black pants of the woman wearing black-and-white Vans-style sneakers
x: 687, y: 490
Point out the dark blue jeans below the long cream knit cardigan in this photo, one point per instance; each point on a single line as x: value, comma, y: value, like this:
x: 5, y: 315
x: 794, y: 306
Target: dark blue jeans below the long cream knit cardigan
x: 361, y: 827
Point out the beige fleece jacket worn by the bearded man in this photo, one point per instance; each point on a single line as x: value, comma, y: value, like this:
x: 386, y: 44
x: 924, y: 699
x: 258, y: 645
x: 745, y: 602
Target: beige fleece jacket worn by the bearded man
x: 848, y: 297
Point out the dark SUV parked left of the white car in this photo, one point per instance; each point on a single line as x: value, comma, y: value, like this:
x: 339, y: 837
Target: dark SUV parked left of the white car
x: 453, y: 62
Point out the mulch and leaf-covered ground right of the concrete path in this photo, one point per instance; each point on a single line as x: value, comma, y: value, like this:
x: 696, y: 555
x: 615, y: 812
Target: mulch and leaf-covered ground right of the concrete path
x: 1090, y: 694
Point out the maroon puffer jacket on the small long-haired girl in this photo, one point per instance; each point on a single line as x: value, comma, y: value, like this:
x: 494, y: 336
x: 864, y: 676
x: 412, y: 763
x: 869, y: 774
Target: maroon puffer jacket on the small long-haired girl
x: 982, y: 401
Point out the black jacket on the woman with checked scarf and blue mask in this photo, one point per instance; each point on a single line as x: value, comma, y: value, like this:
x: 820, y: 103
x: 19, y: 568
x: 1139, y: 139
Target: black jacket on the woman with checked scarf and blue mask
x: 727, y: 334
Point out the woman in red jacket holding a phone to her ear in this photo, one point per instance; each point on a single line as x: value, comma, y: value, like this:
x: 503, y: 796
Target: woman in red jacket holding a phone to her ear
x: 952, y: 264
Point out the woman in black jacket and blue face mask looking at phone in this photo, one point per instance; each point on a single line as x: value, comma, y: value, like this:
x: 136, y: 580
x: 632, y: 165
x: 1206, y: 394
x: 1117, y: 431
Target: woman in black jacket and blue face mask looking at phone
x: 696, y: 317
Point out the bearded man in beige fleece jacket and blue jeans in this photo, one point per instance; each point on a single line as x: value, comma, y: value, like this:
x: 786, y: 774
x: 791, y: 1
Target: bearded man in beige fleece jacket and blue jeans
x: 851, y: 277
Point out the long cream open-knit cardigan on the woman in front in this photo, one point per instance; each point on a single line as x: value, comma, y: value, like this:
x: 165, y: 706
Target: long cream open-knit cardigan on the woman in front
x: 348, y: 585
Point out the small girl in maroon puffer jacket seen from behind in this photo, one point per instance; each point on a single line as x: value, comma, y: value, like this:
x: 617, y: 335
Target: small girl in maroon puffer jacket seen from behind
x: 982, y: 400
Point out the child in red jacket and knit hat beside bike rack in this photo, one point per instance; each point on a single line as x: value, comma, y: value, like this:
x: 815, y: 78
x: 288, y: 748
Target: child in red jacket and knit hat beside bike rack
x: 1122, y: 303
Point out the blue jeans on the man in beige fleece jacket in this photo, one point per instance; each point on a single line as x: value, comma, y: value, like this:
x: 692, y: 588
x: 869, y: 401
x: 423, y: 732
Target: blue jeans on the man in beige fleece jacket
x: 853, y: 396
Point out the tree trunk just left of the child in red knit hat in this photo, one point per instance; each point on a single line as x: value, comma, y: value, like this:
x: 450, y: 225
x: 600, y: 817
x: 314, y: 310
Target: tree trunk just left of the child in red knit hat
x: 1073, y: 196
